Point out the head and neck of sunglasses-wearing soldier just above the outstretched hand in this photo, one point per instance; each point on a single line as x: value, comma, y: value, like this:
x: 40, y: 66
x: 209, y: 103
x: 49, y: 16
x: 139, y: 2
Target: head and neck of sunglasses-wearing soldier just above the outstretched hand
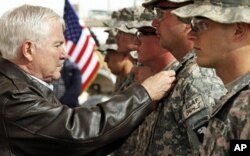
x: 149, y: 49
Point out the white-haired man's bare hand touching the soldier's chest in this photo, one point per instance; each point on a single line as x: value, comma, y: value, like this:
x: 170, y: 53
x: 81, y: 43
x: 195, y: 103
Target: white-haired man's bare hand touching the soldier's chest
x: 159, y: 84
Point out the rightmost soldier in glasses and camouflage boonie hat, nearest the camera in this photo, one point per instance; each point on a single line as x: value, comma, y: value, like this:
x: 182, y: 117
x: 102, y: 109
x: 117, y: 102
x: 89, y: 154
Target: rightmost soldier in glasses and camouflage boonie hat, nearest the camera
x: 228, y: 23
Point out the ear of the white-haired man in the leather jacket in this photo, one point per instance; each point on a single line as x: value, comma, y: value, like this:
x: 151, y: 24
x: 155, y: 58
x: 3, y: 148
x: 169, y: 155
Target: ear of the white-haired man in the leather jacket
x: 28, y: 49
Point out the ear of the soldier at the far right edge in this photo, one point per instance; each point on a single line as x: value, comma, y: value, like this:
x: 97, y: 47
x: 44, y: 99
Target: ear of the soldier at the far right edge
x: 241, y: 30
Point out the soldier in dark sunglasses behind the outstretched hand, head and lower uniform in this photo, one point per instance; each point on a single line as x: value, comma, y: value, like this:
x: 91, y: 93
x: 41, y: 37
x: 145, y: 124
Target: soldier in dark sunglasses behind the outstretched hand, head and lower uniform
x: 149, y: 52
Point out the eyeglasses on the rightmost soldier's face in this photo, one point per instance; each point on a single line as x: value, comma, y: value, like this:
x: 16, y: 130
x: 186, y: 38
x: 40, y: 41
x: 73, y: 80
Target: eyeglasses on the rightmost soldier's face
x: 198, y: 24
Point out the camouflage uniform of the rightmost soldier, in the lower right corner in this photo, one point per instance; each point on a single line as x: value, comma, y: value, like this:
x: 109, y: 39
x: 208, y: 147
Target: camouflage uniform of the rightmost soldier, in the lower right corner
x: 230, y: 119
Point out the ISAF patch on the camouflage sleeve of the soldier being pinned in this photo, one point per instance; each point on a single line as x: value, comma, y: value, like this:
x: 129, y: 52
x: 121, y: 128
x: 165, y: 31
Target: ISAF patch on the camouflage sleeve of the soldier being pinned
x: 193, y: 106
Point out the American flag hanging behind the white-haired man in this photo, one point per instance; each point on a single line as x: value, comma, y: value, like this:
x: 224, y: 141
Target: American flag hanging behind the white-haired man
x: 80, y: 46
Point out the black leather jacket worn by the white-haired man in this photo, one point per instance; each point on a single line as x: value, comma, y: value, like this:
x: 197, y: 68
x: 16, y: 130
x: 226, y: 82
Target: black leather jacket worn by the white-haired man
x: 34, y: 123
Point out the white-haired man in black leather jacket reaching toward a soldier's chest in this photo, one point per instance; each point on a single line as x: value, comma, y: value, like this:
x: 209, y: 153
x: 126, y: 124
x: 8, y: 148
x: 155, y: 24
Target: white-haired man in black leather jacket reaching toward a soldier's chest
x: 33, y: 121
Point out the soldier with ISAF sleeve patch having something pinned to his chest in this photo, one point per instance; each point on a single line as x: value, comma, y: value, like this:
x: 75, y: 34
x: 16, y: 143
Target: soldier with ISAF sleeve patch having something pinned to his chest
x: 177, y: 124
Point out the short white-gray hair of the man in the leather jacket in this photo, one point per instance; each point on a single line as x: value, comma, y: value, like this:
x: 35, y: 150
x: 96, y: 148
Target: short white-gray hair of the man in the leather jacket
x: 26, y: 22
